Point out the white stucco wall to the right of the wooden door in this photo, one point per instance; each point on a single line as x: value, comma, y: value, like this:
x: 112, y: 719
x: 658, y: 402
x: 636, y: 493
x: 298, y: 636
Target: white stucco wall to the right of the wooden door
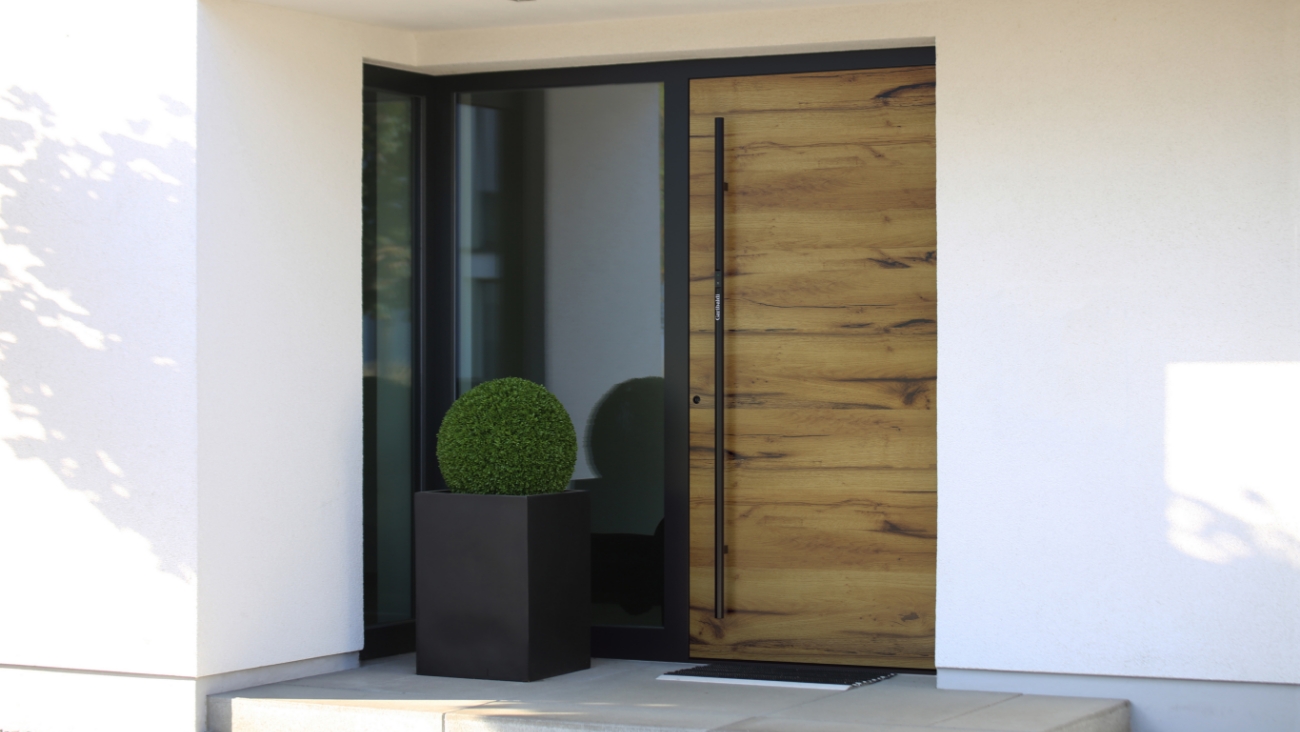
x: 1119, y: 231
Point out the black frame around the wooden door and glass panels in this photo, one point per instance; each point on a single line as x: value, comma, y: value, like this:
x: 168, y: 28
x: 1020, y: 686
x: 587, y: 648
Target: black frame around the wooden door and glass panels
x: 435, y: 285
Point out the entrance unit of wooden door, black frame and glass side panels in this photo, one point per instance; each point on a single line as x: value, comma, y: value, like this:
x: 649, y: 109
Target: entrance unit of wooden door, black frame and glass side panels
x: 526, y: 257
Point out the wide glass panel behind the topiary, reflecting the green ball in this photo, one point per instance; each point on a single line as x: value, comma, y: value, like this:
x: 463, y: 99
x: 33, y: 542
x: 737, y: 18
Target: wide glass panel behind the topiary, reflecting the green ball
x: 561, y: 281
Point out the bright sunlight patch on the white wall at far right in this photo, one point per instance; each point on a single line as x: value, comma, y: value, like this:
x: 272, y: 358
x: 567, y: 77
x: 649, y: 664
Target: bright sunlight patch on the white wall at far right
x: 1233, y: 461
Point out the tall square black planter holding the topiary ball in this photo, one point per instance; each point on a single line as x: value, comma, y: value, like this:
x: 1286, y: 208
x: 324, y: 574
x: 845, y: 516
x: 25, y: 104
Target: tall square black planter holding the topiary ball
x: 504, y: 584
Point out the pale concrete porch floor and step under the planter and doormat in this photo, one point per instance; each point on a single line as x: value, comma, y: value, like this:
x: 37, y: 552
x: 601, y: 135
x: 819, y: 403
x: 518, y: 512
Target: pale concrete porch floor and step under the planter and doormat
x: 625, y: 696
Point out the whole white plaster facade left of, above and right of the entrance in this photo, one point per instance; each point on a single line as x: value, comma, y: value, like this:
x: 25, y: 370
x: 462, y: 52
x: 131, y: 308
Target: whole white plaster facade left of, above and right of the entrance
x: 1120, y: 293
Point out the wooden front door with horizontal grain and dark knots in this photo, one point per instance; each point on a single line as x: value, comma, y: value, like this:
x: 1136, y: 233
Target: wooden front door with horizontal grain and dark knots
x: 829, y: 386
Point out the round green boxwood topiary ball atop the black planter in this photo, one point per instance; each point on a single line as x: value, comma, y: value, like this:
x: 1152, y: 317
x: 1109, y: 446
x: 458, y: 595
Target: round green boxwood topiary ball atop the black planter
x: 508, y: 436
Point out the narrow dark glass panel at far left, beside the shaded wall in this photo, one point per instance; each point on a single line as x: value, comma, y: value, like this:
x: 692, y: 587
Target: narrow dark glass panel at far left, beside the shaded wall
x: 388, y: 197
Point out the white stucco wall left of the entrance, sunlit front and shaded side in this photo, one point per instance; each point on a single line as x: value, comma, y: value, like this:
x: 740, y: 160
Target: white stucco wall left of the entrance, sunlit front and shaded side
x: 180, y: 432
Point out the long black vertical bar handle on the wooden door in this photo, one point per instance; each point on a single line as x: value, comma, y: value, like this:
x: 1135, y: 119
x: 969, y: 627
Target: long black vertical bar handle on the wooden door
x: 720, y: 380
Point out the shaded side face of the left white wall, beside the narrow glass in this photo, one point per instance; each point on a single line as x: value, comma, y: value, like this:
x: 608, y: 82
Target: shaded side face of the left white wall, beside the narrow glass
x: 280, y: 332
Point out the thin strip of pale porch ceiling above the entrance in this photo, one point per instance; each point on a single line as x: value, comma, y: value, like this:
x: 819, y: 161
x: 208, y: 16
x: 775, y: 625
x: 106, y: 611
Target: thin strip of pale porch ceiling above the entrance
x: 457, y: 15
